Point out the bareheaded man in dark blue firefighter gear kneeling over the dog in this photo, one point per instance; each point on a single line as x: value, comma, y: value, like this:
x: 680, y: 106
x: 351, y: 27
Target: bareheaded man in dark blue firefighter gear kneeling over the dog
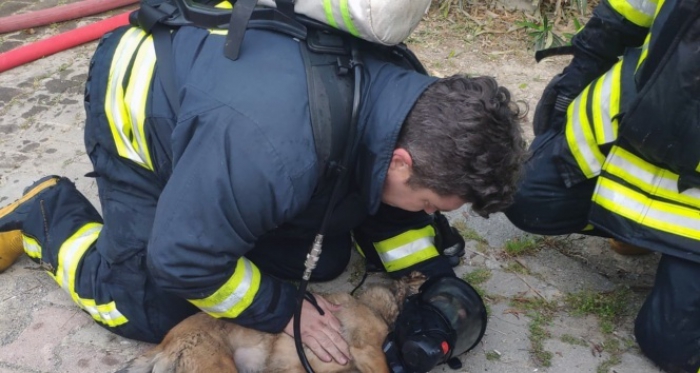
x: 212, y: 192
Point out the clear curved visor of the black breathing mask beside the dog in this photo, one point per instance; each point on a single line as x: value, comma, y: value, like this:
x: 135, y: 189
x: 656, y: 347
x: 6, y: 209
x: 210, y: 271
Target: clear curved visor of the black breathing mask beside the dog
x: 462, y: 308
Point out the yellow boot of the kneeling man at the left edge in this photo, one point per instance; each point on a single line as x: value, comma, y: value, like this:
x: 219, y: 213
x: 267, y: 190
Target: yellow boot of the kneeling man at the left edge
x: 12, y: 217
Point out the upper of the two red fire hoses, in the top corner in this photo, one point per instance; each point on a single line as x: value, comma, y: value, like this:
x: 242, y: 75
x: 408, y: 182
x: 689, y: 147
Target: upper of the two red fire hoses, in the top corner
x: 59, y: 14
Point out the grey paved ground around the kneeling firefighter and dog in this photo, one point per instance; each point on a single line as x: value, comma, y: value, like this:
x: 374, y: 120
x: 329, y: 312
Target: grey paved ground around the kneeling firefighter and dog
x: 535, y: 323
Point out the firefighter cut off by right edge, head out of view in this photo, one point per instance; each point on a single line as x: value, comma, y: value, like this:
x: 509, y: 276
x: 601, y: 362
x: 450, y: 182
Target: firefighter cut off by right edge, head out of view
x: 622, y: 159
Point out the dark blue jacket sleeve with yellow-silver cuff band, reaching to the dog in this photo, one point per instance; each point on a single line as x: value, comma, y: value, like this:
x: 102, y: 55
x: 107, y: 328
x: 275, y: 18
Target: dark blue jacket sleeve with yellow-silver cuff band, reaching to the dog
x: 228, y: 187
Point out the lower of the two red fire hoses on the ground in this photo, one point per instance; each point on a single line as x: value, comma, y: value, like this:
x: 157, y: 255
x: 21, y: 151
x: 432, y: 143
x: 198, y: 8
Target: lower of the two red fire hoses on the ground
x: 54, y: 44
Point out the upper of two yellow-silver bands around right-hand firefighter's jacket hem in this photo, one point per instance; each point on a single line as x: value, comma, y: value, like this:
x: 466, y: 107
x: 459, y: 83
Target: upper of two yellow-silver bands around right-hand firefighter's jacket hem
x: 651, y: 179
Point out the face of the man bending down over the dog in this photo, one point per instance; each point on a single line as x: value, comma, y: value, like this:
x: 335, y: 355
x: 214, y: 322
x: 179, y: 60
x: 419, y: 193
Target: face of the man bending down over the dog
x: 399, y: 194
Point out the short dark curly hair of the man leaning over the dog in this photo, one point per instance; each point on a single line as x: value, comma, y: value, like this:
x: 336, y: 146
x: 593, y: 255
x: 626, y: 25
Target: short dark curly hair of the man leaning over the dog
x: 465, y: 139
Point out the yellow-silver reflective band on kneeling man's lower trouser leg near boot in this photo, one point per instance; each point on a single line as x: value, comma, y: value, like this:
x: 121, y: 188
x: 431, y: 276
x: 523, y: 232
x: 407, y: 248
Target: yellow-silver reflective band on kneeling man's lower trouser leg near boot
x: 69, y: 256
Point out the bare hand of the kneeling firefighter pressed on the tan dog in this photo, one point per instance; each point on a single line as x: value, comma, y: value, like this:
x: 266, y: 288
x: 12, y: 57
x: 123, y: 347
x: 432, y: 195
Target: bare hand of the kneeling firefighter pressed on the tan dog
x: 321, y: 333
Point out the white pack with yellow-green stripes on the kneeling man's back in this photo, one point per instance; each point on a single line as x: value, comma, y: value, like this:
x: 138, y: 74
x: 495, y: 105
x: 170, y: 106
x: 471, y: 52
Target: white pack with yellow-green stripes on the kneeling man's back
x: 386, y: 22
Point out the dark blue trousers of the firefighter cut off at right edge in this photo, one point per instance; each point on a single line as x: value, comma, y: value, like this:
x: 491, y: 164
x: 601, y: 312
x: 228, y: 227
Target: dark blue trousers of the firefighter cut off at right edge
x: 667, y: 327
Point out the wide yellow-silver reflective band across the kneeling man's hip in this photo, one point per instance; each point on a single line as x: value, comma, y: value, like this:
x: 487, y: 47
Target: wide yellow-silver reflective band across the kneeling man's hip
x: 130, y: 79
